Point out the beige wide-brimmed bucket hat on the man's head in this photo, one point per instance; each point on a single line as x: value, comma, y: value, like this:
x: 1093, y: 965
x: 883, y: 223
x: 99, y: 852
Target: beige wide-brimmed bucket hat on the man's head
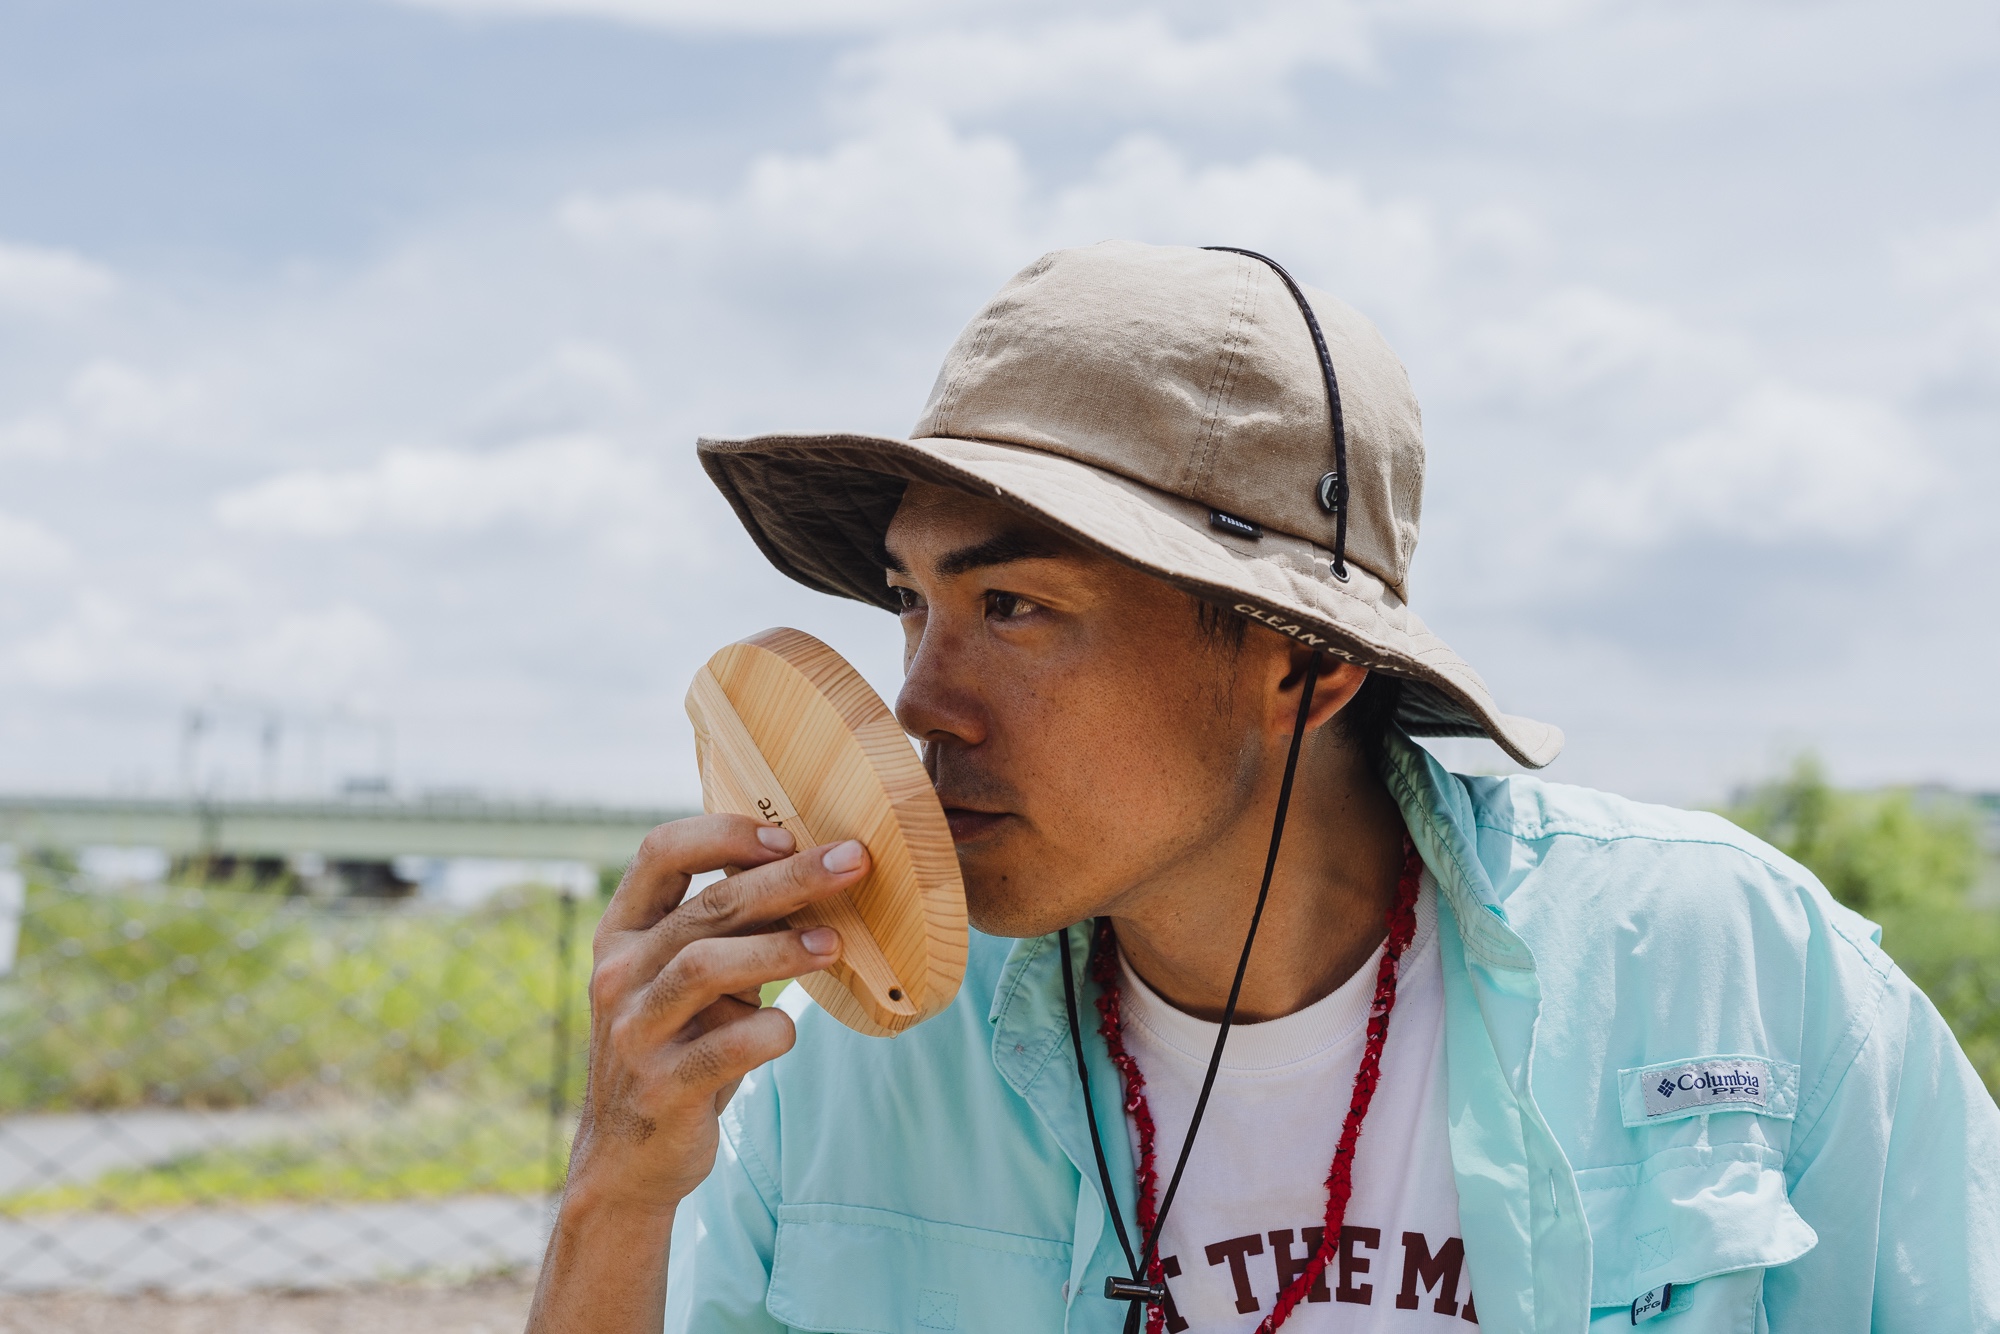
x: 1173, y: 409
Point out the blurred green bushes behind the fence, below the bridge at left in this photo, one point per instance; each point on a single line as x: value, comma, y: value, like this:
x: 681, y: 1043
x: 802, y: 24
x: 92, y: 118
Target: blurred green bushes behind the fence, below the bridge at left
x: 221, y: 999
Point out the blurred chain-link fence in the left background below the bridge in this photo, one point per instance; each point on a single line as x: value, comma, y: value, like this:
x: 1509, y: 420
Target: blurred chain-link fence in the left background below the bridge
x: 223, y: 1089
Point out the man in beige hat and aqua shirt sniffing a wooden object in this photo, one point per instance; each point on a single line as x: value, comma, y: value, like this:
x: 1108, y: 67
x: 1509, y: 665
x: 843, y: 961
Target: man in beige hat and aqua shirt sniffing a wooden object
x: 1499, y: 1053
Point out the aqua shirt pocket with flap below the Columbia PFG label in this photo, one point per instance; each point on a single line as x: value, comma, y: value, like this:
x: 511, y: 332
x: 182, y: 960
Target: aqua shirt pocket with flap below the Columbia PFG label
x: 1707, y: 1219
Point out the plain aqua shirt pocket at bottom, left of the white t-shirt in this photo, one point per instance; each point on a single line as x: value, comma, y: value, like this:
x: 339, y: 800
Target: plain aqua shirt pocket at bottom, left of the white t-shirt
x: 843, y: 1269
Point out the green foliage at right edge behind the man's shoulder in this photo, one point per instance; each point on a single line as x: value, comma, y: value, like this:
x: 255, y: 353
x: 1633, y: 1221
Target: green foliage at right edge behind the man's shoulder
x: 1907, y: 865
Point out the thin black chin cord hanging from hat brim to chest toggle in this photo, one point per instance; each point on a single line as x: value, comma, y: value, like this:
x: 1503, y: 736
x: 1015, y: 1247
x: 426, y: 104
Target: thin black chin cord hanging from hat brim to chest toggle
x: 1137, y: 1289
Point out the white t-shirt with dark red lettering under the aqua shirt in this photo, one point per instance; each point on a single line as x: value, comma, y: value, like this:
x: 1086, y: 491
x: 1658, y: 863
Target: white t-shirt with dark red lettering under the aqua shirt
x: 1255, y: 1195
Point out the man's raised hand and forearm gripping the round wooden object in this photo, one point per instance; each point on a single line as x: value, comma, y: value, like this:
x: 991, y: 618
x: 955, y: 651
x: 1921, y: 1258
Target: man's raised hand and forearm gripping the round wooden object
x: 675, y: 1027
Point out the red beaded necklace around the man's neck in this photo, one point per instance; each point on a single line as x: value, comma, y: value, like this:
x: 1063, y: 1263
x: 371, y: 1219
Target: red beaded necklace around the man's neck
x: 1341, y: 1177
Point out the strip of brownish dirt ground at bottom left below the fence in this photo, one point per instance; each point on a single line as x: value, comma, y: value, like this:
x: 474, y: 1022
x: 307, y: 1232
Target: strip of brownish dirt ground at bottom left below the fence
x: 485, y: 1307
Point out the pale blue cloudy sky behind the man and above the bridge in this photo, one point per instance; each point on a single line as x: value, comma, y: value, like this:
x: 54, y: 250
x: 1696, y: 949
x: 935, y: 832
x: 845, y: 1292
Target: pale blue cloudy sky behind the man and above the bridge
x: 353, y: 353
